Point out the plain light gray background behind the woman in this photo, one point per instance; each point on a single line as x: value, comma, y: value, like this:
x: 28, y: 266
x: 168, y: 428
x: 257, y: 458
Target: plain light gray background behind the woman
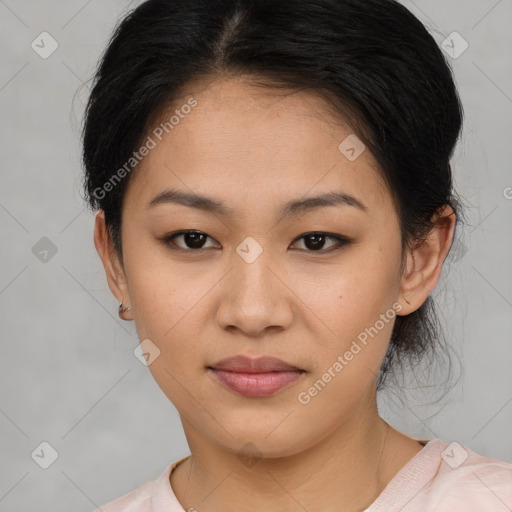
x: 68, y: 375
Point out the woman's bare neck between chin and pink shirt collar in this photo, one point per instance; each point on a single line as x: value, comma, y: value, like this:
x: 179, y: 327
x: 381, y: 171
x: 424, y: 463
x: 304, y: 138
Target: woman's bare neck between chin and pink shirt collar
x: 345, y: 472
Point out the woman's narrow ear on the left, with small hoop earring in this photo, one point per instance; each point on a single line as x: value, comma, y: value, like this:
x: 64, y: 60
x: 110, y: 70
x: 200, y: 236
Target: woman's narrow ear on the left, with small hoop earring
x: 114, y: 269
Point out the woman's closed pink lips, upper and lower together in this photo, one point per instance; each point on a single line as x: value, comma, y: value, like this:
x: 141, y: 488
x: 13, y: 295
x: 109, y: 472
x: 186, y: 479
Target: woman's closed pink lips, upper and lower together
x: 258, y: 377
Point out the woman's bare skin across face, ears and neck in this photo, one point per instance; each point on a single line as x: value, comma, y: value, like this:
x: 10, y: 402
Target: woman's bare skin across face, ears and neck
x: 255, y: 149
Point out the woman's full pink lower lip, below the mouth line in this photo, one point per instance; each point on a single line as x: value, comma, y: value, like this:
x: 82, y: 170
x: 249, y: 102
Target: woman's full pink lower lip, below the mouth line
x: 256, y: 384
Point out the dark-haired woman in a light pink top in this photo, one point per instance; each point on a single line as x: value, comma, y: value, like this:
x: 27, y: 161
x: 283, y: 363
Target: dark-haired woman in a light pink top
x: 275, y: 205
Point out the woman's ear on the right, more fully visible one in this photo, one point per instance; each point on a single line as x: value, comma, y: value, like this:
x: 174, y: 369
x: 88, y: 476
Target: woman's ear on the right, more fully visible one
x: 424, y: 262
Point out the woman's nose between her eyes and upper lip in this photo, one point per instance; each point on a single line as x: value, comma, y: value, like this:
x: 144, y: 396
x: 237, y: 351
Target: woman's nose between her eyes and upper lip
x: 254, y: 300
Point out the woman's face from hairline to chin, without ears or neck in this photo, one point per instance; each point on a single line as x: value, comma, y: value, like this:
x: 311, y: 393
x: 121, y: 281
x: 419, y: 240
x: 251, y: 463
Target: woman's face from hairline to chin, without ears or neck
x: 305, y: 284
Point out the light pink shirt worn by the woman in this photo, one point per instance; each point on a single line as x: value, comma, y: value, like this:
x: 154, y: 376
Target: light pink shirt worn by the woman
x: 442, y: 477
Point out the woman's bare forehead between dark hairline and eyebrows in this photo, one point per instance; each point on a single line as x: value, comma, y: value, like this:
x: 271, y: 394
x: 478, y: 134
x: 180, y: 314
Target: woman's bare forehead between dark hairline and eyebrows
x: 241, y: 141
